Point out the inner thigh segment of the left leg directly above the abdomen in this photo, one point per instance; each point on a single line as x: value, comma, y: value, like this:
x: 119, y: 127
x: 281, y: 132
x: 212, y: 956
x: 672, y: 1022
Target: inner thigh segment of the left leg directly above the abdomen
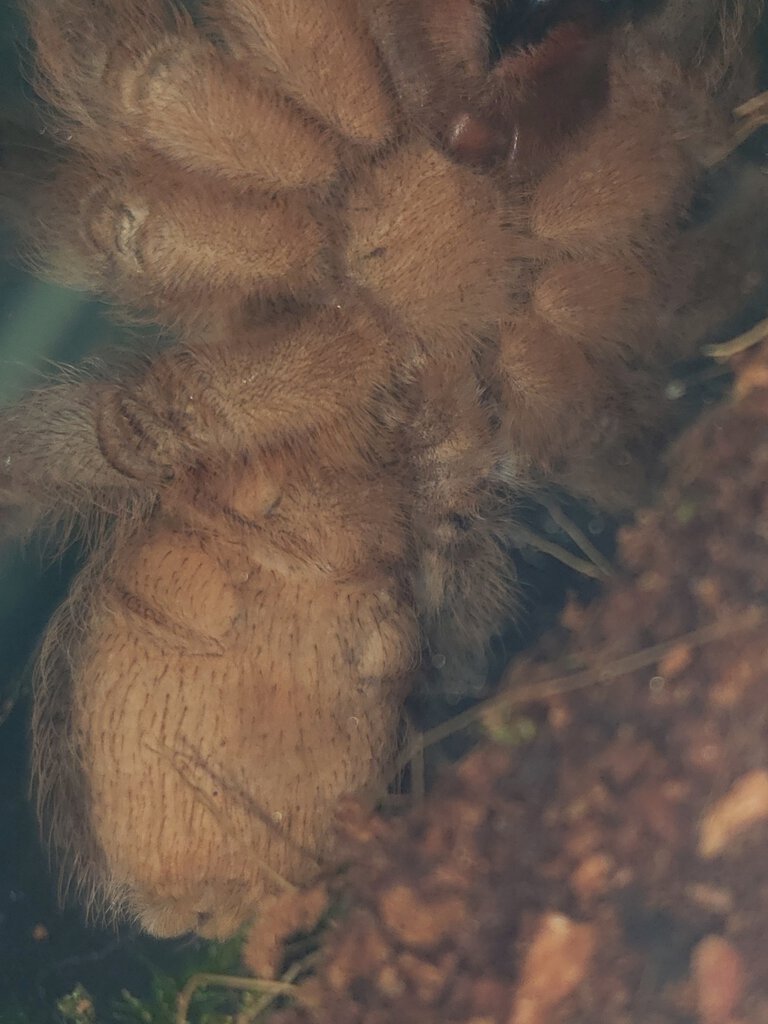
x: 276, y: 386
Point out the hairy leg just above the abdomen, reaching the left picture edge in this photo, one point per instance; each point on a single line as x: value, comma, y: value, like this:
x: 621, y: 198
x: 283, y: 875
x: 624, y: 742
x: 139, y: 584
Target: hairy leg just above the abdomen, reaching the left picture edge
x: 76, y: 444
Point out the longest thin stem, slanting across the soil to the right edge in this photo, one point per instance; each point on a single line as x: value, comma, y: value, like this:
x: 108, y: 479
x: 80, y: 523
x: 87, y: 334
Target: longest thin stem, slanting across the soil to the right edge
x: 582, y: 678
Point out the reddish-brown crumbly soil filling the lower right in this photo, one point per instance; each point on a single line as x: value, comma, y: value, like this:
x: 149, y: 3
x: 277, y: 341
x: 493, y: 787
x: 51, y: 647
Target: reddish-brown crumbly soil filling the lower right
x: 611, y: 869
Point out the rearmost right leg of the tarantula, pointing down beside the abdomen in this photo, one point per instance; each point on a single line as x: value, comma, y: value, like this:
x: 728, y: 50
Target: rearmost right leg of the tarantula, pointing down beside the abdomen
x: 463, y: 579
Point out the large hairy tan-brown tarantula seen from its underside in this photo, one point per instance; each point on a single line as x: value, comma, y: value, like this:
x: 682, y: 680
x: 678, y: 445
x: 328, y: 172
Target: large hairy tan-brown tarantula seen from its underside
x: 404, y: 287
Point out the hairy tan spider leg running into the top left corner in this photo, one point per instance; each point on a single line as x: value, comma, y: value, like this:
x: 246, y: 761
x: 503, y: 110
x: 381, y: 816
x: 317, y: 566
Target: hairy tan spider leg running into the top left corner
x: 139, y: 74
